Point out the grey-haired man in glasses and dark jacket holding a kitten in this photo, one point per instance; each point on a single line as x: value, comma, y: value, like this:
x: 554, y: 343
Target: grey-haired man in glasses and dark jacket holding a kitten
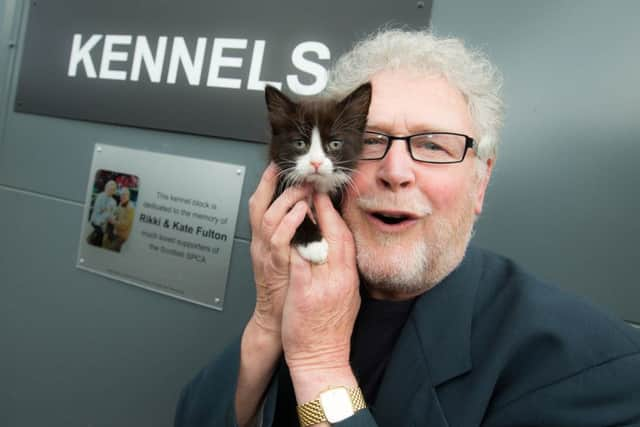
x: 406, y: 325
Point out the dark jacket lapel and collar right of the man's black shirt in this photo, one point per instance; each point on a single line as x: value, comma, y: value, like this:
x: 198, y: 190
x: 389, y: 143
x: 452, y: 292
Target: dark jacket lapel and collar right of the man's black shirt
x: 433, y: 347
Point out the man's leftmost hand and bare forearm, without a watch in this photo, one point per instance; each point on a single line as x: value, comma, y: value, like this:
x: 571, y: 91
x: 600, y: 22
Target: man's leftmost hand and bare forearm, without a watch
x: 272, y: 228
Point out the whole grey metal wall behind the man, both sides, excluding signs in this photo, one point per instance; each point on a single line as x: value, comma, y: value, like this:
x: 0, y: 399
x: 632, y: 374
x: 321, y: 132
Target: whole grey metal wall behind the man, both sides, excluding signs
x: 81, y: 350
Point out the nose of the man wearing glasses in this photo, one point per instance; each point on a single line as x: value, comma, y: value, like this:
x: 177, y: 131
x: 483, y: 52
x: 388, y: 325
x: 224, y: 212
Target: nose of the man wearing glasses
x: 396, y: 169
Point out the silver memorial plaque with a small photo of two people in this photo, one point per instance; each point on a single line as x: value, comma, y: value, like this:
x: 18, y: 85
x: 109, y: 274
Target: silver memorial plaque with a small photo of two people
x: 162, y: 222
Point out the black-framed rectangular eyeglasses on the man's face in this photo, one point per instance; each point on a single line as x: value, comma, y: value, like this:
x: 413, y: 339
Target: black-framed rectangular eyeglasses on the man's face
x: 431, y: 147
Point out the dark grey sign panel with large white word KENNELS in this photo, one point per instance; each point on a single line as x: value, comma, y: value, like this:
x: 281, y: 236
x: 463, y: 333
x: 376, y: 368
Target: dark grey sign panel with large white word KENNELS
x: 196, y: 66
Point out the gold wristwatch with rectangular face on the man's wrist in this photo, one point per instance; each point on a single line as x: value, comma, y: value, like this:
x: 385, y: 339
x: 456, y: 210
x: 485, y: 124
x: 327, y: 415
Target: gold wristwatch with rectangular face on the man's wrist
x: 332, y: 405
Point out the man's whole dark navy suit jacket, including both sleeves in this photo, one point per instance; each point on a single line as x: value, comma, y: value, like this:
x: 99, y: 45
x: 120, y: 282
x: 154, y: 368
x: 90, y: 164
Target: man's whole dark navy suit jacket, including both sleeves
x: 490, y: 345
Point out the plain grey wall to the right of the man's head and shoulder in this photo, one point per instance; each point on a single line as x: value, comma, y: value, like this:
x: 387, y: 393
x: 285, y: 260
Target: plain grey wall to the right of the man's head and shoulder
x: 564, y: 198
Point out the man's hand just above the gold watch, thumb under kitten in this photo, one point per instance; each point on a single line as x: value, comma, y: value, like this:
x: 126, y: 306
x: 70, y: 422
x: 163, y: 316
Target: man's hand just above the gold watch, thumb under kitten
x: 321, y: 306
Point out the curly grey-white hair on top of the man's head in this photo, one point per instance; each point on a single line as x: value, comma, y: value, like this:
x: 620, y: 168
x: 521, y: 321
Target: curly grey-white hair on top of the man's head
x: 469, y: 70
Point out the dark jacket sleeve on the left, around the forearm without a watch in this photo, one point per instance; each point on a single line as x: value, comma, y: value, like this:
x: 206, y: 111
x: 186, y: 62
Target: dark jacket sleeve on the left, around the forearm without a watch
x: 209, y: 399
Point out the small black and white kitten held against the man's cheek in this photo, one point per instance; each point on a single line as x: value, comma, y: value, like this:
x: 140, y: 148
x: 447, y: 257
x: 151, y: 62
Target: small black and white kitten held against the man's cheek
x: 317, y: 141
